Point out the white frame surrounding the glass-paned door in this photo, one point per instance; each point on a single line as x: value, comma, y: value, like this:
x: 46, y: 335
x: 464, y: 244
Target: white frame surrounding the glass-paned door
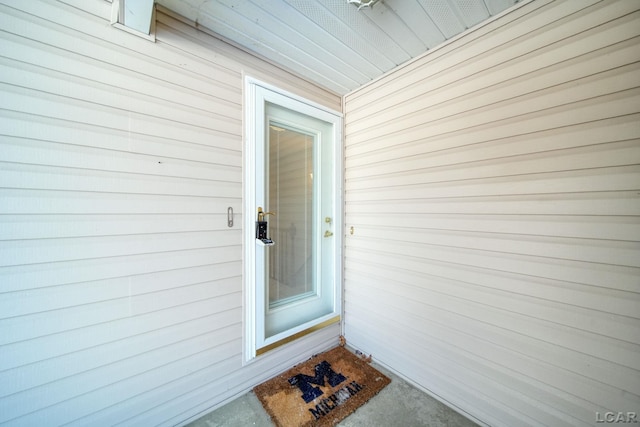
x: 256, y: 93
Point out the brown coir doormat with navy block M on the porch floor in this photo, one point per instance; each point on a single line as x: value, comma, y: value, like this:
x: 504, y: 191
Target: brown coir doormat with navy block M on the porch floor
x: 321, y: 391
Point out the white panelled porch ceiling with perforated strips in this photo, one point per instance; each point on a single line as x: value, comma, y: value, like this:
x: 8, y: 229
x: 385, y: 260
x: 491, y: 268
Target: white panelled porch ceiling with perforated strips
x: 331, y: 42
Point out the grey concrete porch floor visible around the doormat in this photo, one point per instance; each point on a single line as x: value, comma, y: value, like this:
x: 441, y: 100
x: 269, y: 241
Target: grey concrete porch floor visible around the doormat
x: 399, y: 404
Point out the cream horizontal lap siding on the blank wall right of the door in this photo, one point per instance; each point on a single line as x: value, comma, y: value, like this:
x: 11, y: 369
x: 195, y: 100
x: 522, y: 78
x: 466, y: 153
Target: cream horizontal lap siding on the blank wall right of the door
x: 493, y: 189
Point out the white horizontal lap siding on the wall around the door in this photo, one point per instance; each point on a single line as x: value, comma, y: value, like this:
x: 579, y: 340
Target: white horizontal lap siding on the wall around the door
x: 120, y: 281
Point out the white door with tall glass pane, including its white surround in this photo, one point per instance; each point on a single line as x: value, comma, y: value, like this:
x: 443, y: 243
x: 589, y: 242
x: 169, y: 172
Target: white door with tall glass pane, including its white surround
x: 296, y: 183
